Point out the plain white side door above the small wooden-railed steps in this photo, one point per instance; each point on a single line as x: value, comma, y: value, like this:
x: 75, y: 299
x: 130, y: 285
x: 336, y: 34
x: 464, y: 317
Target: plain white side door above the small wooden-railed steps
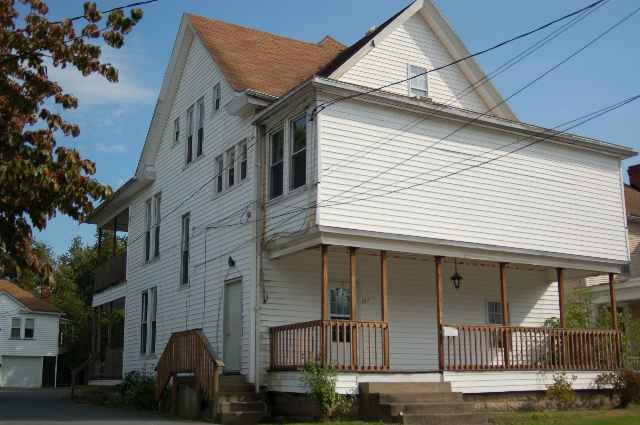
x: 232, y: 326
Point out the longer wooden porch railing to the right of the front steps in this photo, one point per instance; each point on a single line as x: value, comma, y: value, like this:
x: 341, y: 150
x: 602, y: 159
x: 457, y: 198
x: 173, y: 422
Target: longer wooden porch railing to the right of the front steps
x: 486, y: 347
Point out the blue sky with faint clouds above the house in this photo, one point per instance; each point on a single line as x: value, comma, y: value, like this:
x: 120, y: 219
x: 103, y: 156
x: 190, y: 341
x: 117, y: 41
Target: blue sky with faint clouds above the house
x: 114, y: 118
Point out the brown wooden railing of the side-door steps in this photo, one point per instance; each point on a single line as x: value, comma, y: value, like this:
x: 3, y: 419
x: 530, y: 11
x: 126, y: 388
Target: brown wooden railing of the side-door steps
x: 189, y: 352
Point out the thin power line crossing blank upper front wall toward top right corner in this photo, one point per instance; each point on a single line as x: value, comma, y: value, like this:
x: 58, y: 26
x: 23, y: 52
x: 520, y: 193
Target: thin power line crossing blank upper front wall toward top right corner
x: 475, y: 119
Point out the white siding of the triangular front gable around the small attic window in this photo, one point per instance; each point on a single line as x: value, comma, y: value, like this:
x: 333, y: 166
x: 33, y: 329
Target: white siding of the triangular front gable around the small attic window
x: 414, y: 43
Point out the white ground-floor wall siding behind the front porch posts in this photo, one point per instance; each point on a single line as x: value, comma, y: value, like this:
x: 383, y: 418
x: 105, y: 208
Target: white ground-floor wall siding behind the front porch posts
x: 292, y: 293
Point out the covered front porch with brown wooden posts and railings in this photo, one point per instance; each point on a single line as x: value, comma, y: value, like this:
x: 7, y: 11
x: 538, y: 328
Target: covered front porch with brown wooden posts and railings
x: 400, y: 313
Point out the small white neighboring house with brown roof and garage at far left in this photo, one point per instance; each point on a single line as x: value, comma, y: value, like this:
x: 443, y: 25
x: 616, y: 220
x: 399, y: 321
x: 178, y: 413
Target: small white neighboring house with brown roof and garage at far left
x: 29, y: 328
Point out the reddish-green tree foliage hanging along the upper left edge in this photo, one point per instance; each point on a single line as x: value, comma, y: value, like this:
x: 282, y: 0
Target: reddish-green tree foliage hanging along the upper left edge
x: 39, y: 177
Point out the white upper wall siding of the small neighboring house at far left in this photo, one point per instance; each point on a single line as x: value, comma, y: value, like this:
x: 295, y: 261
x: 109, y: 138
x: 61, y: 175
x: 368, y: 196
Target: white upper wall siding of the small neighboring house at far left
x: 45, y: 338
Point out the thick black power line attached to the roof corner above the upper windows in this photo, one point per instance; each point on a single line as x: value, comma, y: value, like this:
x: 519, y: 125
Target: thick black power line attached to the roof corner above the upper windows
x: 325, y: 105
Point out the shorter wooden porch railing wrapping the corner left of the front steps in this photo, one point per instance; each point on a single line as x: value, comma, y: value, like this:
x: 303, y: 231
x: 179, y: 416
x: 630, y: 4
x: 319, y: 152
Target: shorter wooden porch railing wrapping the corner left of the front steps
x: 343, y: 344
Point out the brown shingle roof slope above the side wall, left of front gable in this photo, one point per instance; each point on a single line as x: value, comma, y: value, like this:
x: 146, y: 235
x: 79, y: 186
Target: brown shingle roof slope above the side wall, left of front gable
x: 260, y: 61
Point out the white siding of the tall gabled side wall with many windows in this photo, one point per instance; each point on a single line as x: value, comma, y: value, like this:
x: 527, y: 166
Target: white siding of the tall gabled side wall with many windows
x: 198, y: 305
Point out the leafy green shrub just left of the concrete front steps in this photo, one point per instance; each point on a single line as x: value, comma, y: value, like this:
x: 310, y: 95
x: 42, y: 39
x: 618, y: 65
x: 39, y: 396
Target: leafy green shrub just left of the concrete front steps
x: 321, y: 381
